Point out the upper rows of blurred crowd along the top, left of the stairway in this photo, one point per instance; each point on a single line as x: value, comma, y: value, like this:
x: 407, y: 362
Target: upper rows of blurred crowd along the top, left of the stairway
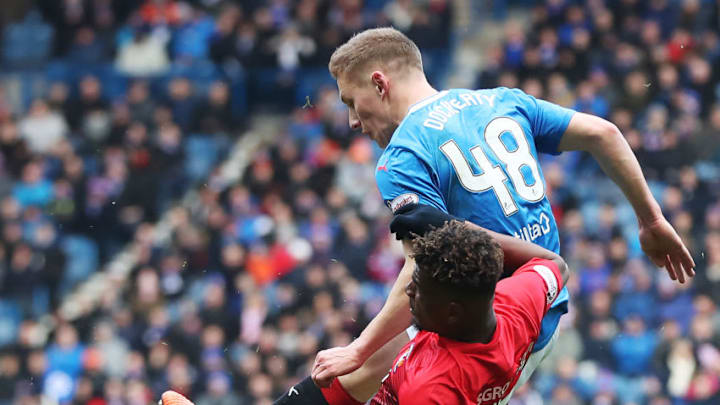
x: 272, y: 53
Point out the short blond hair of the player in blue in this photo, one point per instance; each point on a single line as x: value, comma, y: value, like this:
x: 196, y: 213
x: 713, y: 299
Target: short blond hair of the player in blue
x: 386, y: 47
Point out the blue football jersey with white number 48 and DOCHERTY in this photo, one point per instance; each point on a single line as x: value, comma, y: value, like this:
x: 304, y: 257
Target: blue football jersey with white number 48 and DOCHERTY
x: 473, y: 154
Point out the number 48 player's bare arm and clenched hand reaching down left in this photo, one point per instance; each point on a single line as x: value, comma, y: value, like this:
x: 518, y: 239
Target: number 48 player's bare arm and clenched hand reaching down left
x: 394, y: 318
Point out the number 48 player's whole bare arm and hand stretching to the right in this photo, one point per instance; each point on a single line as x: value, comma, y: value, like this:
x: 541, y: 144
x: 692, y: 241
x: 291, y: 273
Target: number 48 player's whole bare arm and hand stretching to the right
x: 606, y: 143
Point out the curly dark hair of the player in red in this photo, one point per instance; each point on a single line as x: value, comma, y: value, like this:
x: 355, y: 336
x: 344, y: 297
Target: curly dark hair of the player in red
x: 460, y: 257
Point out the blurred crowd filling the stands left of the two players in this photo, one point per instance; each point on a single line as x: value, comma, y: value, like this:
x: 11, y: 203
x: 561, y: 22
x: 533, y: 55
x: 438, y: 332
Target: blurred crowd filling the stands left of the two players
x: 109, y: 112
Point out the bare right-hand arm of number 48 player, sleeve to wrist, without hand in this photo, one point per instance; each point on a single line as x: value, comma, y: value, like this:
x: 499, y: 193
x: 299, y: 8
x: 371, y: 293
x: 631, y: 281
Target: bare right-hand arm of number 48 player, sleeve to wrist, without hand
x: 608, y: 146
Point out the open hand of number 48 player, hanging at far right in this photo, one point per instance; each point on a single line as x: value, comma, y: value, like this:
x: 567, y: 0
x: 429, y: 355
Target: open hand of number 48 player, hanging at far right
x: 665, y: 248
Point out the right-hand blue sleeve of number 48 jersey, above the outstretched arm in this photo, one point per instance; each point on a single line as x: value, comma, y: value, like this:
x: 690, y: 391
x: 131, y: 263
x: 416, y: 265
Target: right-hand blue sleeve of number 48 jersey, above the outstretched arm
x: 548, y: 121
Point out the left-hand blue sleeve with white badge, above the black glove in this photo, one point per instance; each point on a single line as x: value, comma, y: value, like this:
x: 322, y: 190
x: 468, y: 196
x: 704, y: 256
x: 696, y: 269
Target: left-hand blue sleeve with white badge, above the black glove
x: 404, y: 178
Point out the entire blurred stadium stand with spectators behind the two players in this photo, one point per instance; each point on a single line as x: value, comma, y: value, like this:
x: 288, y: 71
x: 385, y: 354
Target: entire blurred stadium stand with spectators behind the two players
x: 183, y: 206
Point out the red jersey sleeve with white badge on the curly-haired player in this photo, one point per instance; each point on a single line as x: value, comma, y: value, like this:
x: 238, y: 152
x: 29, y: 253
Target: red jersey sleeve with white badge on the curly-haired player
x: 533, y: 288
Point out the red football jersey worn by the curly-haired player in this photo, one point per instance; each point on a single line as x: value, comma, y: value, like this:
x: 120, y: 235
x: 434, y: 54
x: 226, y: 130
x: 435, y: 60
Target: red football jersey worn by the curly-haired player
x: 432, y: 369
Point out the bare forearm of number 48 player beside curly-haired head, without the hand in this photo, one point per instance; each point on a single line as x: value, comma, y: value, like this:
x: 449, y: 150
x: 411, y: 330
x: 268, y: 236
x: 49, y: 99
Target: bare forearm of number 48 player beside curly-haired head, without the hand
x: 394, y: 317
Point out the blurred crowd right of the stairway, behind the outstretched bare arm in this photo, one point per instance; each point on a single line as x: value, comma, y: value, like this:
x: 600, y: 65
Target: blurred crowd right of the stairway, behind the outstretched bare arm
x: 632, y: 335
